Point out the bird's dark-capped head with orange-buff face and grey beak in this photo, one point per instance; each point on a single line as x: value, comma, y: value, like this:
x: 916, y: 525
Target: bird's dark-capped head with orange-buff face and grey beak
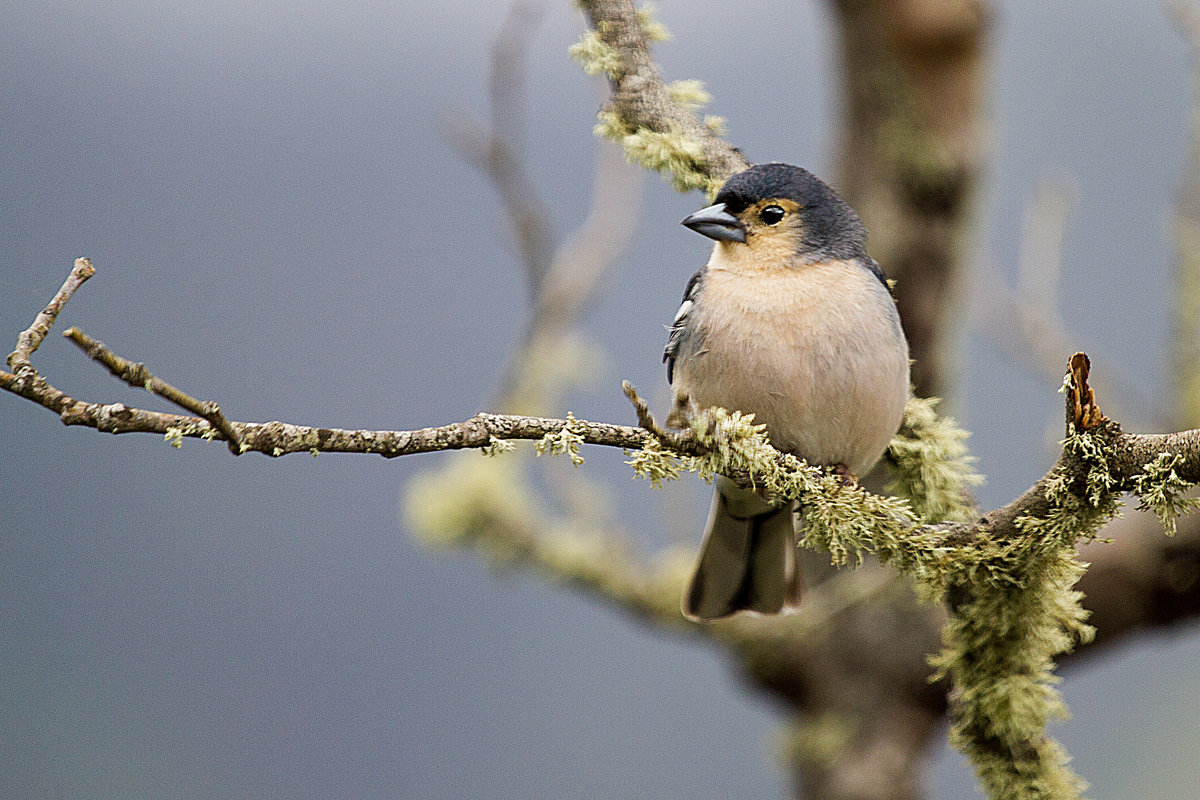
x: 775, y: 215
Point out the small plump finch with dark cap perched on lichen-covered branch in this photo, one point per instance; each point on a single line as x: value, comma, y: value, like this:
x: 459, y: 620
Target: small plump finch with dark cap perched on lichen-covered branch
x: 793, y: 322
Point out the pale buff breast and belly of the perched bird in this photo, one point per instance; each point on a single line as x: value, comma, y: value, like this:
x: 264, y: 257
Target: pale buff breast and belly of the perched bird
x: 815, y: 353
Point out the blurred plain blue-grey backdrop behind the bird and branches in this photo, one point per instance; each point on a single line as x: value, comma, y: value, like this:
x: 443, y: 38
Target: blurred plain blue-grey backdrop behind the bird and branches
x: 279, y: 225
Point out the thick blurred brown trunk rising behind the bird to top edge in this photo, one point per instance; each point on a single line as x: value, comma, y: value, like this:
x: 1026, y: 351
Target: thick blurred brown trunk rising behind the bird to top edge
x: 913, y: 91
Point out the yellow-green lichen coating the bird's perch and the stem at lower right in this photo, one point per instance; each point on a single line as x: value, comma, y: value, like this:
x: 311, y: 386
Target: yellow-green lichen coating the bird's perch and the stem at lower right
x: 1013, y: 607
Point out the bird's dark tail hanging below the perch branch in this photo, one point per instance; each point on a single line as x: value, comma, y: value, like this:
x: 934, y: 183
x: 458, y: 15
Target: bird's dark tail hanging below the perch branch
x: 748, y: 561
